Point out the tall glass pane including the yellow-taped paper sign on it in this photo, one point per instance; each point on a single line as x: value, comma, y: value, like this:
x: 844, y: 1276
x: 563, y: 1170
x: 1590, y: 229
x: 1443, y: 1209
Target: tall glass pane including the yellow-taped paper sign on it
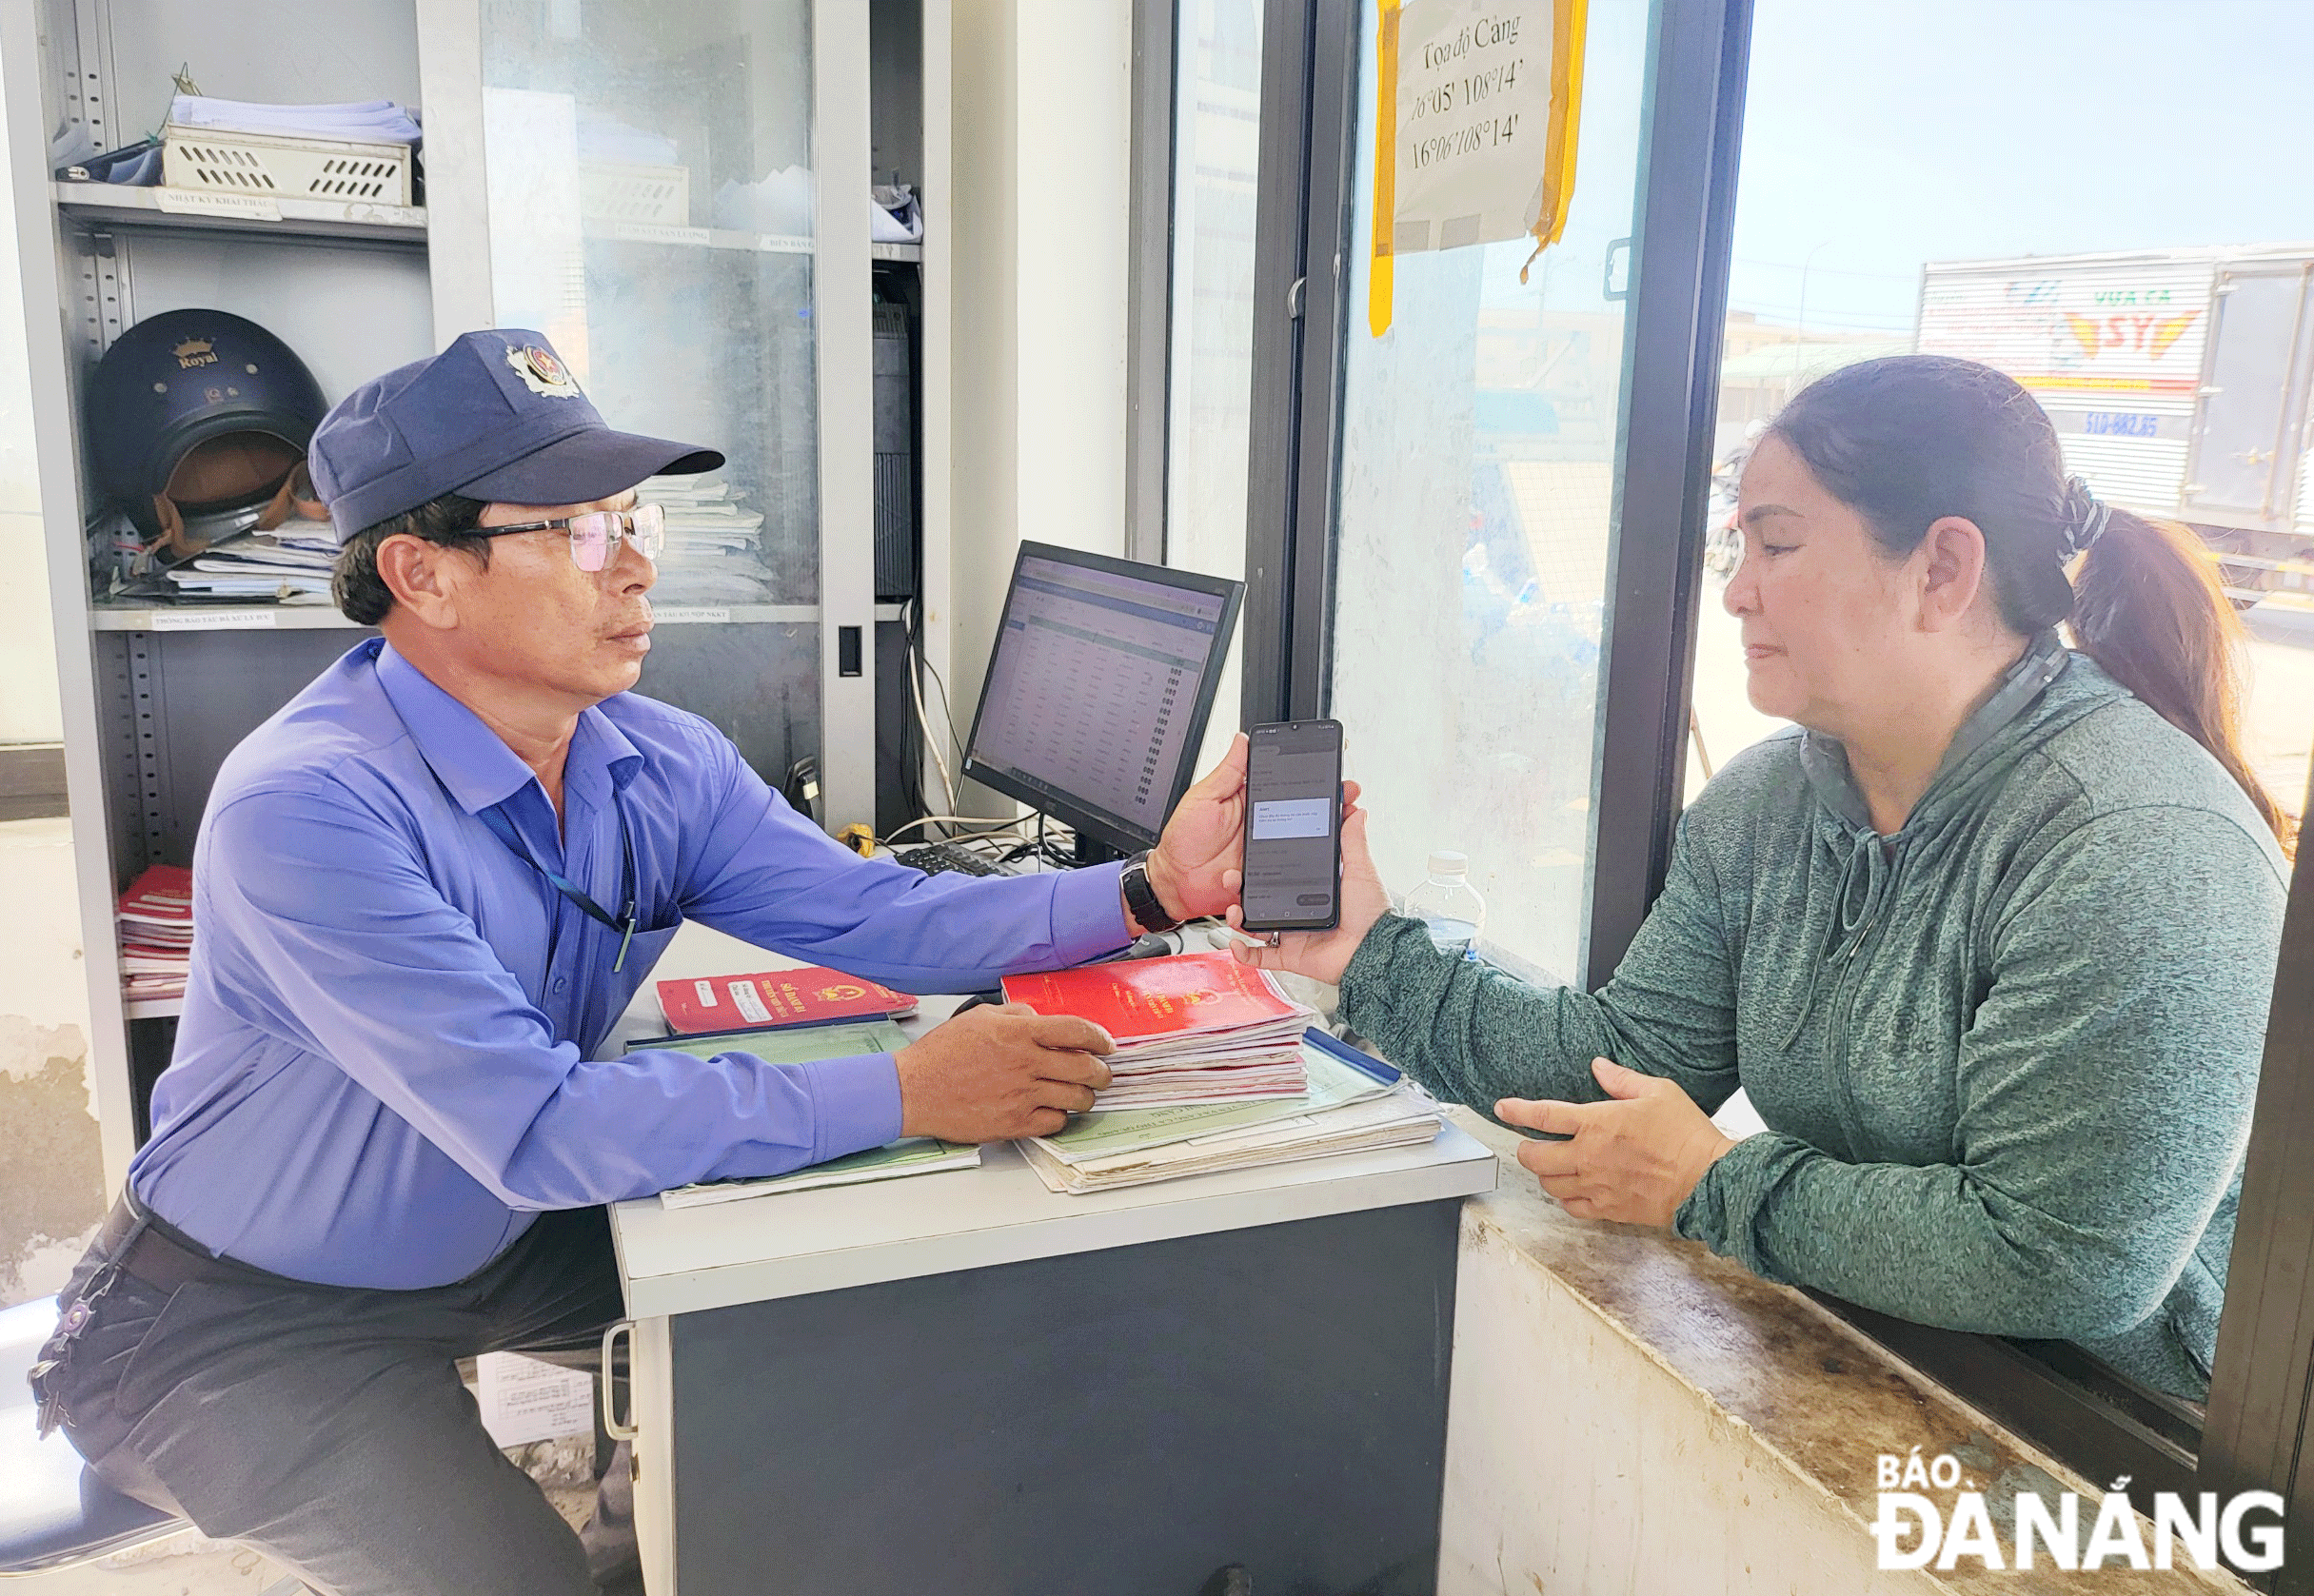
x: 1480, y: 443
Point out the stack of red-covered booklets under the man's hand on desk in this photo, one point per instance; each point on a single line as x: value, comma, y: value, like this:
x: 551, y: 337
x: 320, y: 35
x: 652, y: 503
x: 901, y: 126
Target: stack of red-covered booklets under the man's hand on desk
x: 1195, y: 1028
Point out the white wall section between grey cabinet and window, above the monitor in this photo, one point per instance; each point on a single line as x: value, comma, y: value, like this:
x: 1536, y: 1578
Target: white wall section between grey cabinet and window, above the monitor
x: 1042, y: 228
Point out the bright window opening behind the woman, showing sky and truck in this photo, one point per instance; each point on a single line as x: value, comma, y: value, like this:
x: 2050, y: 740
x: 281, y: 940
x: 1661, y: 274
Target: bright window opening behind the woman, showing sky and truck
x: 2109, y: 288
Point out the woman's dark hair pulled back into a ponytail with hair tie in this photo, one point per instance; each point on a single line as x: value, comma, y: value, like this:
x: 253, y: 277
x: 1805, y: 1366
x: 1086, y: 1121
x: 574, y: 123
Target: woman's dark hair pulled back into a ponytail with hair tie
x: 1913, y: 438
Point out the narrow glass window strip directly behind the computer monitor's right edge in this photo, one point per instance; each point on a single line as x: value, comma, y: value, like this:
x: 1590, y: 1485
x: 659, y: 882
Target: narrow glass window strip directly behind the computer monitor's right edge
x: 1211, y: 369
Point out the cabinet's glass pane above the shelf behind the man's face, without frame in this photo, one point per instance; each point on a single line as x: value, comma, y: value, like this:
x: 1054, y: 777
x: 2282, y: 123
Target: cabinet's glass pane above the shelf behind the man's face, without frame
x: 651, y: 212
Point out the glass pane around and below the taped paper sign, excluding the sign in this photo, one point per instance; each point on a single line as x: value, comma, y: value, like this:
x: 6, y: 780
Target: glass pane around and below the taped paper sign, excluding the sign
x: 1477, y: 471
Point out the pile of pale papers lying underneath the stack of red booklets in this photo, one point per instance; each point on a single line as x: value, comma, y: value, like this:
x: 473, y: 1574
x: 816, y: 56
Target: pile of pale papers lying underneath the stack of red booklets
x: 1355, y: 1104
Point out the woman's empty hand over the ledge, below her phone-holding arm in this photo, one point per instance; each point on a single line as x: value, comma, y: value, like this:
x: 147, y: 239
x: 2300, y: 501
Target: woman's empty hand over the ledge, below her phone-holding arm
x: 1633, y: 1160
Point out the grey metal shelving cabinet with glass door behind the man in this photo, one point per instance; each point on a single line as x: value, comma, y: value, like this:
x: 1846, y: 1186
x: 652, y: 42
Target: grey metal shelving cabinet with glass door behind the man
x: 156, y: 695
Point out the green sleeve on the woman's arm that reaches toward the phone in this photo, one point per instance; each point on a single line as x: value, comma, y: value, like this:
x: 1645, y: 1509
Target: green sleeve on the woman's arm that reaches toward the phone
x: 1475, y: 1035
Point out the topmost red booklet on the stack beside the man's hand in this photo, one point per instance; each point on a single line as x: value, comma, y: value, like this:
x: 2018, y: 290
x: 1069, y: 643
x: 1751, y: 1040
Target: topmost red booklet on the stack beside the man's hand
x: 1151, y: 1000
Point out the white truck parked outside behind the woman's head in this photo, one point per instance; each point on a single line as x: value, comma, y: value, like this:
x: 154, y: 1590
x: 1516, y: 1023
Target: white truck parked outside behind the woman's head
x: 2176, y: 378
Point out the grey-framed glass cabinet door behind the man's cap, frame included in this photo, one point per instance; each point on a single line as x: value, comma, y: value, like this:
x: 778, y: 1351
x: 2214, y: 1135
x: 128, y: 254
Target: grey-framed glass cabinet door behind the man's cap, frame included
x: 649, y: 193
